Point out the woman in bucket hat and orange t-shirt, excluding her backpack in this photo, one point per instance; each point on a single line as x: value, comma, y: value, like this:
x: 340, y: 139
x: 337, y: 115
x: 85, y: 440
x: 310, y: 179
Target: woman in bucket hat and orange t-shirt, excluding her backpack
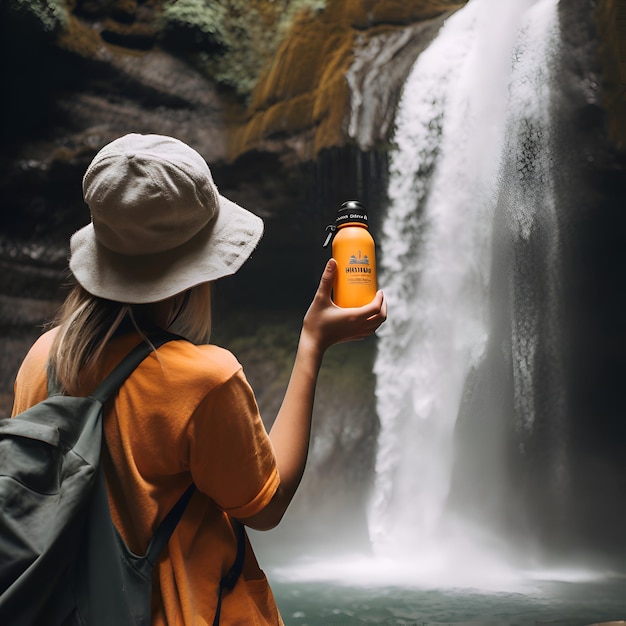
x: 159, y: 234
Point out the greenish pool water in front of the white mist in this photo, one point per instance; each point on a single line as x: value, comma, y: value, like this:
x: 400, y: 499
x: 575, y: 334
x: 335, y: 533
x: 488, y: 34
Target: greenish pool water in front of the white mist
x: 562, y: 604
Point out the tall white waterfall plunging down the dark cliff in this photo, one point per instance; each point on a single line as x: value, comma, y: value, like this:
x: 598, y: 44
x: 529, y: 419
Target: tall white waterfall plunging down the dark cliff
x: 472, y: 128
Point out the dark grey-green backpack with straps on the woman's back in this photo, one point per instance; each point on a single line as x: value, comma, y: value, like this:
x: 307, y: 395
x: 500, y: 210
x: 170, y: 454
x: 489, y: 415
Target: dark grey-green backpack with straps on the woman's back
x: 62, y: 561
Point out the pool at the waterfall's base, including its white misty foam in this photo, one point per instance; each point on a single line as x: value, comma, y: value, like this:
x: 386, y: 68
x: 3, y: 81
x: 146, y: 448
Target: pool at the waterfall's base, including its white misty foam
x: 306, y: 596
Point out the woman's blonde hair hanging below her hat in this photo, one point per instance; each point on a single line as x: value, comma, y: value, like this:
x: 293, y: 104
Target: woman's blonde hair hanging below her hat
x: 86, y: 323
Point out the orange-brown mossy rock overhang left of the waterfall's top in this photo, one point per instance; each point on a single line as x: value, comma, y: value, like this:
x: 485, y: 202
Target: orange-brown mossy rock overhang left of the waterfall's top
x: 304, y: 86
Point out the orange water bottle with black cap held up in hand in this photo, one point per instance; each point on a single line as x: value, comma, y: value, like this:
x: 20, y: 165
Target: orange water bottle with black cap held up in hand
x: 354, y: 250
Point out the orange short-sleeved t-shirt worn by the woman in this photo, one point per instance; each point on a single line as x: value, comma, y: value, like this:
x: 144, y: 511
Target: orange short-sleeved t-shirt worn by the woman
x: 186, y: 414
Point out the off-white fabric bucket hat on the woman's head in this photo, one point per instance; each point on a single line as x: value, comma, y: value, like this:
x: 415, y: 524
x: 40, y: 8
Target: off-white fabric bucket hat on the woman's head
x: 158, y: 224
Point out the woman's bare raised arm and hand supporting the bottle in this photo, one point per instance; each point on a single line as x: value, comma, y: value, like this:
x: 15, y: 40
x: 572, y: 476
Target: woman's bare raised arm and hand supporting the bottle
x: 324, y: 325
